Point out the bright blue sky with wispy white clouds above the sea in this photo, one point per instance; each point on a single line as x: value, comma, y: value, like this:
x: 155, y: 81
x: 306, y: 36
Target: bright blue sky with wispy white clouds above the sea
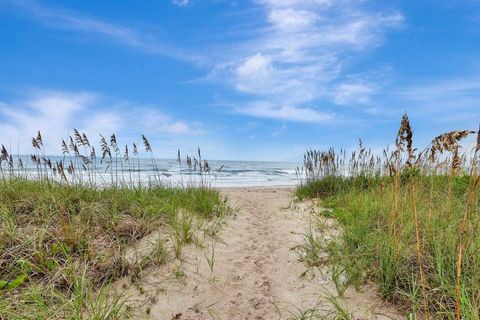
x: 251, y: 79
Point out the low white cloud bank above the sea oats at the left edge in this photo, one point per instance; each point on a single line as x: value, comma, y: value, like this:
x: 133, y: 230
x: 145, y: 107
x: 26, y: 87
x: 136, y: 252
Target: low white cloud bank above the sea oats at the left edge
x: 57, y: 113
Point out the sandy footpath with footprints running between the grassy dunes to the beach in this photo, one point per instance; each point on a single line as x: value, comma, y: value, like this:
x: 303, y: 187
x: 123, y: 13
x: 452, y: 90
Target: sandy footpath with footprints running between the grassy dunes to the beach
x: 256, y: 274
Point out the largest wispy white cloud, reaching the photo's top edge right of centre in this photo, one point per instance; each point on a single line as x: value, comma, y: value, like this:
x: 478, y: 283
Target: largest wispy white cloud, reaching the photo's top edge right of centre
x: 299, y: 55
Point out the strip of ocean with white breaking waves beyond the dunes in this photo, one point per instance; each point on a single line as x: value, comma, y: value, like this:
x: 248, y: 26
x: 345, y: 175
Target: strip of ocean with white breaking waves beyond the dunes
x: 170, y: 172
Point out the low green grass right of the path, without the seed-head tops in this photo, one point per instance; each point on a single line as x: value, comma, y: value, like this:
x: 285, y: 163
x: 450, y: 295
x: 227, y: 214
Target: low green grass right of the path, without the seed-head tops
x: 385, y: 250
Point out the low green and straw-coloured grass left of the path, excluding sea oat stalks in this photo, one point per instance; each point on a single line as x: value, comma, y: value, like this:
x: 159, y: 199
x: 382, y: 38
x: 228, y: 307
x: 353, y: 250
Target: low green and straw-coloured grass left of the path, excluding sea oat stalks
x: 61, y: 244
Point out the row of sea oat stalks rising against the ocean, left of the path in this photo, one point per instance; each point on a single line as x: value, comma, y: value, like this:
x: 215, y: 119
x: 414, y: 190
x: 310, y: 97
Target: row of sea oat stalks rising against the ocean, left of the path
x: 106, y: 164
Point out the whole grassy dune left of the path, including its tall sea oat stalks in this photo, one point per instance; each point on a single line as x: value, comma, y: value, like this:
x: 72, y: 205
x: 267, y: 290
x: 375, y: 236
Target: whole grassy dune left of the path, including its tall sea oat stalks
x: 66, y: 227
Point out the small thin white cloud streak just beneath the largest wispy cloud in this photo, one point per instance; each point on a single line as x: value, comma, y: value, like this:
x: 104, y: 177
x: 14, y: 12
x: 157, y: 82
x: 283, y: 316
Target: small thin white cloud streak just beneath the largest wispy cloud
x: 285, y: 112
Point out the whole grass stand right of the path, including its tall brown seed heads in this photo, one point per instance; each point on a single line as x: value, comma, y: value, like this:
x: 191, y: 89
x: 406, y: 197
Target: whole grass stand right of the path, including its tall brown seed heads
x: 409, y: 219
